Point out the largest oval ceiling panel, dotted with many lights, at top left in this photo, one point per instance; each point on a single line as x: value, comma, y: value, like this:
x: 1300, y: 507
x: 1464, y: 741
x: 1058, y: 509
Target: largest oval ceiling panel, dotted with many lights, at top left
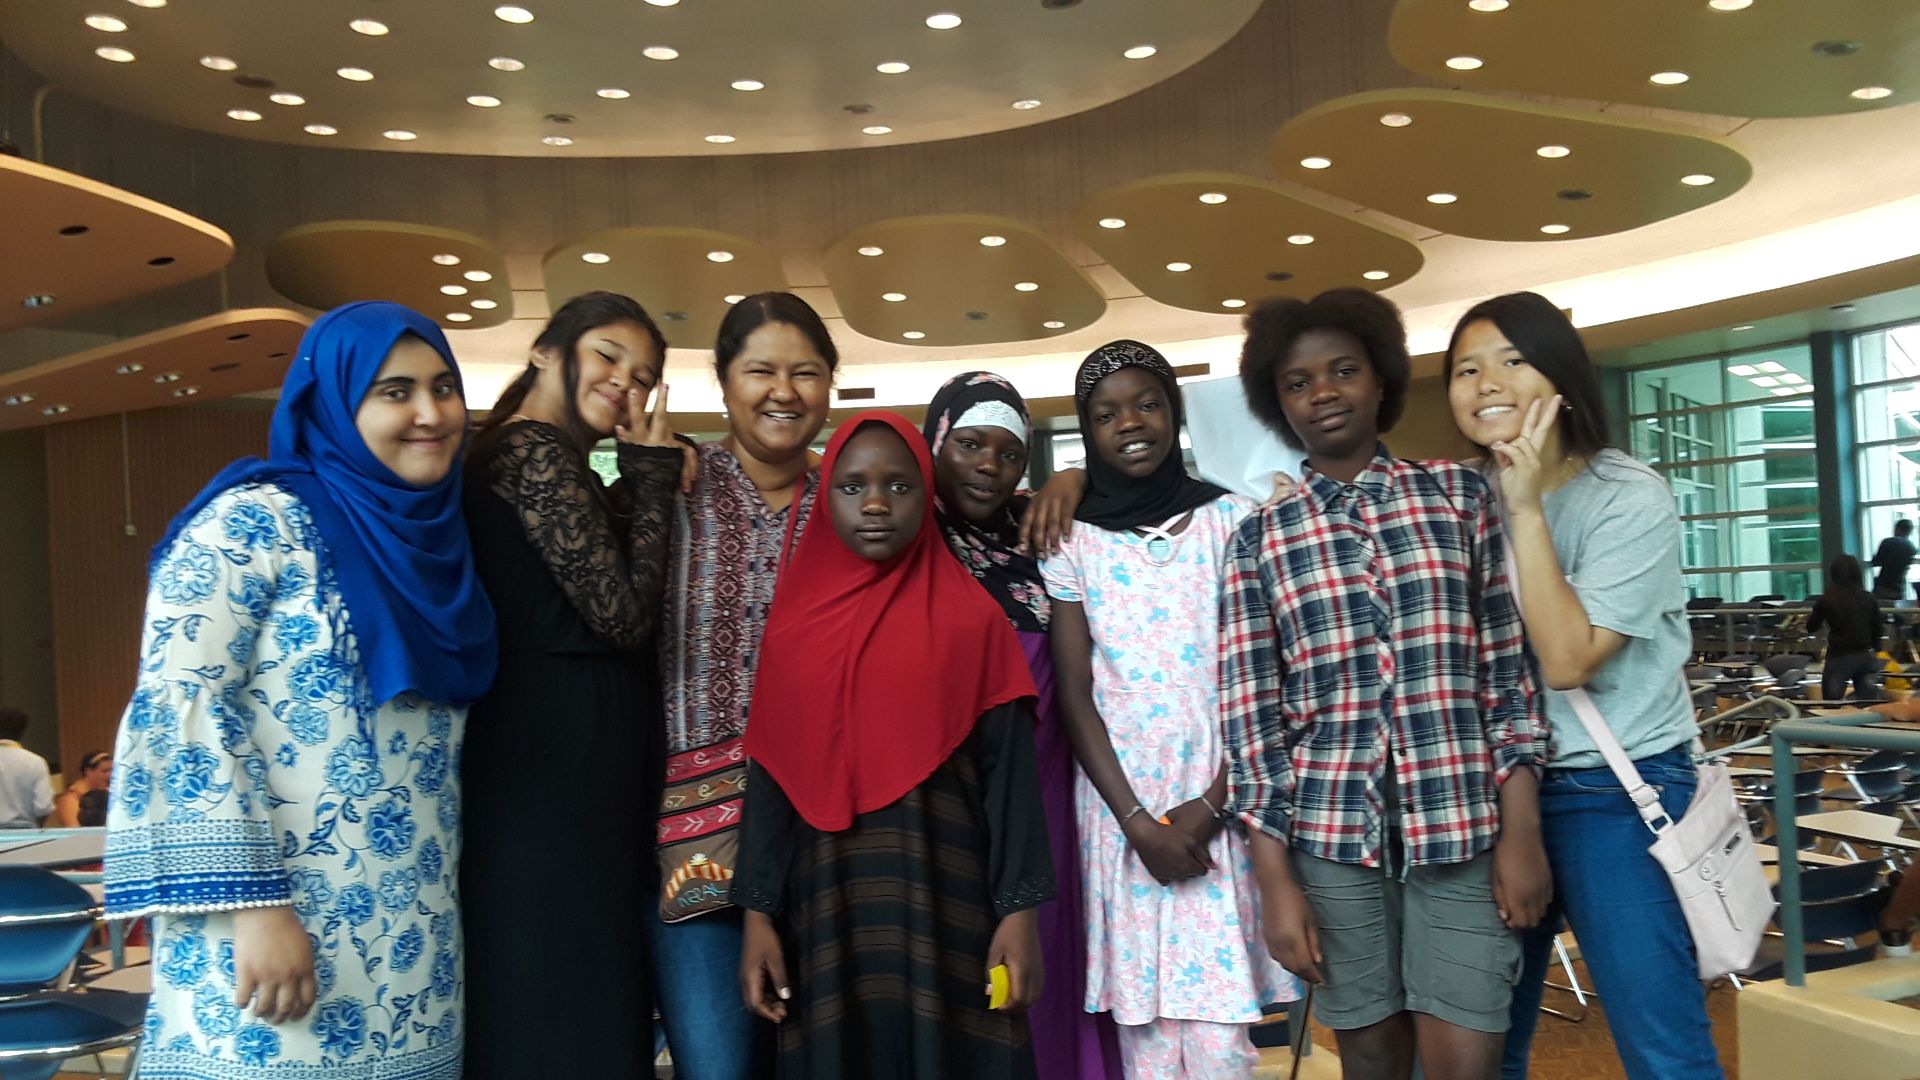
x: 635, y: 80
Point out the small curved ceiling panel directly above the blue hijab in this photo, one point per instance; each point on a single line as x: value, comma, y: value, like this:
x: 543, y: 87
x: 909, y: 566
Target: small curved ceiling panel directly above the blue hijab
x: 454, y: 280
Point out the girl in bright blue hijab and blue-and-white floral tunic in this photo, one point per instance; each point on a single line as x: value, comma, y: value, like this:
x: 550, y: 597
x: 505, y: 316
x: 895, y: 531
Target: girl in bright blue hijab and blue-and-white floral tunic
x: 285, y: 798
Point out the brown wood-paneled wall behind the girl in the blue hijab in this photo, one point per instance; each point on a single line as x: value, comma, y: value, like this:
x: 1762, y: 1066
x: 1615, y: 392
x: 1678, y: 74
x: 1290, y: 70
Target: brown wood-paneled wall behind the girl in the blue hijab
x: 105, y: 476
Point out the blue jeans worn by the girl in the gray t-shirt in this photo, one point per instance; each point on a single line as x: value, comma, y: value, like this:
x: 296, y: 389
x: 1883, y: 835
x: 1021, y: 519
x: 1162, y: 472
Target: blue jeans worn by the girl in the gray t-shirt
x: 1633, y: 935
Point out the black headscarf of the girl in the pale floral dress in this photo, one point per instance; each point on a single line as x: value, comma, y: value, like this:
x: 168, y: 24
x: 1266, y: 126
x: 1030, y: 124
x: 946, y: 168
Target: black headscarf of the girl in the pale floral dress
x: 1116, y: 501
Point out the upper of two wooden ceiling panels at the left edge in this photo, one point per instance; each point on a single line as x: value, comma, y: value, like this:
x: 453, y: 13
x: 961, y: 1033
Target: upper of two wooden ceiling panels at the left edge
x: 76, y: 243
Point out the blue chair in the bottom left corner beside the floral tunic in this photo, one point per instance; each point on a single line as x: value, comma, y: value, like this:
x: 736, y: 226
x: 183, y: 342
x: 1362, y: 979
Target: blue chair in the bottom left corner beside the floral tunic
x: 45, y: 920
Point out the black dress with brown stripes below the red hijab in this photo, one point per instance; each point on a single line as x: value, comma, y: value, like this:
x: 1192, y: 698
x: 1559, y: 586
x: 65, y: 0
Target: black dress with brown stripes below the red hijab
x: 886, y: 925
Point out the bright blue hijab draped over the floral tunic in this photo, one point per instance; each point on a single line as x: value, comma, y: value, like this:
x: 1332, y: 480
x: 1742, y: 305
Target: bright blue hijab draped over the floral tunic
x: 400, y: 554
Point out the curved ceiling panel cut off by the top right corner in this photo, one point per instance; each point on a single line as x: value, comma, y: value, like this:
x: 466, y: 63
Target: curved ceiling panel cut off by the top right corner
x: 1725, y: 57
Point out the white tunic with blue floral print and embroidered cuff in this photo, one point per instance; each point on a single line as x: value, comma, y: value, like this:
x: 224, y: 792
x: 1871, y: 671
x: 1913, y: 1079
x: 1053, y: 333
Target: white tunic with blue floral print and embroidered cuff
x: 252, y: 772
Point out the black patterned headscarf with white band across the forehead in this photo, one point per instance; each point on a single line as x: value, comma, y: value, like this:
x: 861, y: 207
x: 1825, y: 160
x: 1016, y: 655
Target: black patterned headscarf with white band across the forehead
x: 990, y: 551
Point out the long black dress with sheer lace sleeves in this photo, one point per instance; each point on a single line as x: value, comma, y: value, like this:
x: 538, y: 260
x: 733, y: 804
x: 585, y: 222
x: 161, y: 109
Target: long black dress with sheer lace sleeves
x: 564, y: 758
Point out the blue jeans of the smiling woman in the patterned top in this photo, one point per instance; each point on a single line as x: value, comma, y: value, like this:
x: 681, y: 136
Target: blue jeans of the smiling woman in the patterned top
x: 696, y: 977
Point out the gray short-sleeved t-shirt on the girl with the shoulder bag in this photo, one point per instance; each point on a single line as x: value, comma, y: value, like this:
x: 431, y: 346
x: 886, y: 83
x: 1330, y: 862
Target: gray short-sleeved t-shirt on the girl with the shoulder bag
x: 1618, y: 537
